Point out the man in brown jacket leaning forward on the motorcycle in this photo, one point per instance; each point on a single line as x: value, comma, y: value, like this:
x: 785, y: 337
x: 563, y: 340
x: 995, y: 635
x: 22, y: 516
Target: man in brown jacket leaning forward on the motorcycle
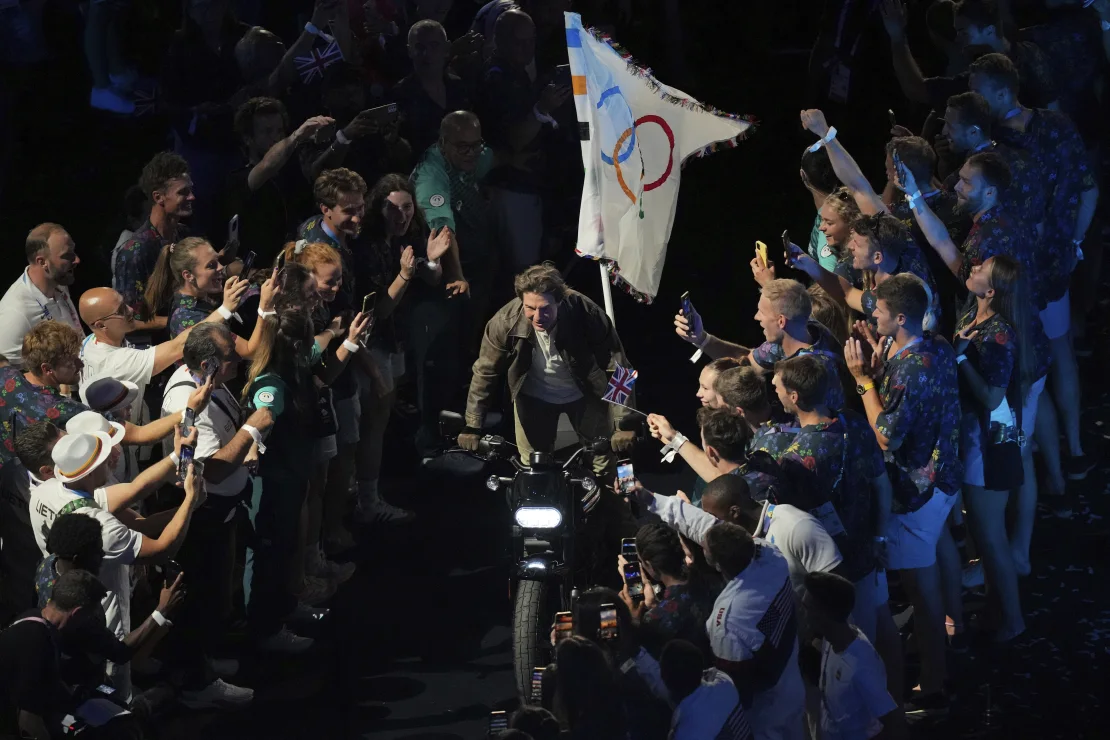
x: 558, y: 348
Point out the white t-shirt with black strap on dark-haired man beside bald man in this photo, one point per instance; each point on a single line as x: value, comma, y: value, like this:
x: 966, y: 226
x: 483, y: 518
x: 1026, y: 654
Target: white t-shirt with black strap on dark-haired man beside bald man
x: 215, y: 427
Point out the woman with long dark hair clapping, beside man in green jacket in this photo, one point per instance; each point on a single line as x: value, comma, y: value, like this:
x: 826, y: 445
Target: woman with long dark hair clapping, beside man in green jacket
x: 387, y: 269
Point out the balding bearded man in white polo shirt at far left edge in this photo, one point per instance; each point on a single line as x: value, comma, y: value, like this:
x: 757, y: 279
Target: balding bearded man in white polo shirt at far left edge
x: 42, y: 293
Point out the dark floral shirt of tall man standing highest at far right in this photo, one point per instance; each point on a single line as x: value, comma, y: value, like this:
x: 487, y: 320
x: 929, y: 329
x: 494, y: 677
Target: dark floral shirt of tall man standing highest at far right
x: 1053, y: 141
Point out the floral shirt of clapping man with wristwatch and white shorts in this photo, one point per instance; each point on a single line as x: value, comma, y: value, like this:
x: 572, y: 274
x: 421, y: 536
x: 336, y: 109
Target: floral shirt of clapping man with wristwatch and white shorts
x: 922, y: 417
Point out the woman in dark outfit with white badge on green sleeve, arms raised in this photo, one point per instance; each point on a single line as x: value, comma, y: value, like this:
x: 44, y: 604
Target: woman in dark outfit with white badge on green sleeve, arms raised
x: 282, y: 378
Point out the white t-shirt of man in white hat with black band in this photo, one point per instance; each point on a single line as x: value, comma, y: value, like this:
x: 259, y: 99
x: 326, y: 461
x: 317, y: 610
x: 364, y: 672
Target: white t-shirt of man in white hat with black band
x: 122, y: 545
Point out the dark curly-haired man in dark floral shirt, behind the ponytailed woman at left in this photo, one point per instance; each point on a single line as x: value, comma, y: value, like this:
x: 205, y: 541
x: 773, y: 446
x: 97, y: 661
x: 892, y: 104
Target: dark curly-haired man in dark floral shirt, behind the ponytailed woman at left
x: 169, y: 189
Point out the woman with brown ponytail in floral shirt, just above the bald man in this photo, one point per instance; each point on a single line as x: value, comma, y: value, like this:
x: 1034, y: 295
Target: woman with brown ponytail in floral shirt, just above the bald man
x: 190, y: 280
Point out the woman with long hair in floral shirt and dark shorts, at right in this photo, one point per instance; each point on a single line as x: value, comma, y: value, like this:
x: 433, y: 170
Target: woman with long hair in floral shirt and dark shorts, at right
x: 997, y: 367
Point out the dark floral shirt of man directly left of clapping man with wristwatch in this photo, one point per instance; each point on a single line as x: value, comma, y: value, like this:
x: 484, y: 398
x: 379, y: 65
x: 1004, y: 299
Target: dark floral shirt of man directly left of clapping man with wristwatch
x: 837, y: 463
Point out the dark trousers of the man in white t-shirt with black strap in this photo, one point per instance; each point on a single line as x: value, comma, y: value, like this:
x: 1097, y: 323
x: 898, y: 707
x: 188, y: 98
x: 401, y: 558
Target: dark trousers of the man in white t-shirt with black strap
x: 208, y: 562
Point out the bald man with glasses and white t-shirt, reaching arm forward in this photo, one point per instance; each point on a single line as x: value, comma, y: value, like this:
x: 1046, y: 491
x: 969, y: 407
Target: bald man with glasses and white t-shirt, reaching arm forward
x: 108, y: 354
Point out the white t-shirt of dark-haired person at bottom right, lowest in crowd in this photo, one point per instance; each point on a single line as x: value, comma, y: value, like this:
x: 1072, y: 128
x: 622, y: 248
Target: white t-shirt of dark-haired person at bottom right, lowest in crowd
x: 854, y: 692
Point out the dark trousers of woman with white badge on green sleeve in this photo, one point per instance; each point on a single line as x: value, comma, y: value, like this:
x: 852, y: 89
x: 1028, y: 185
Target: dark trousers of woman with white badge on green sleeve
x: 277, y: 518
